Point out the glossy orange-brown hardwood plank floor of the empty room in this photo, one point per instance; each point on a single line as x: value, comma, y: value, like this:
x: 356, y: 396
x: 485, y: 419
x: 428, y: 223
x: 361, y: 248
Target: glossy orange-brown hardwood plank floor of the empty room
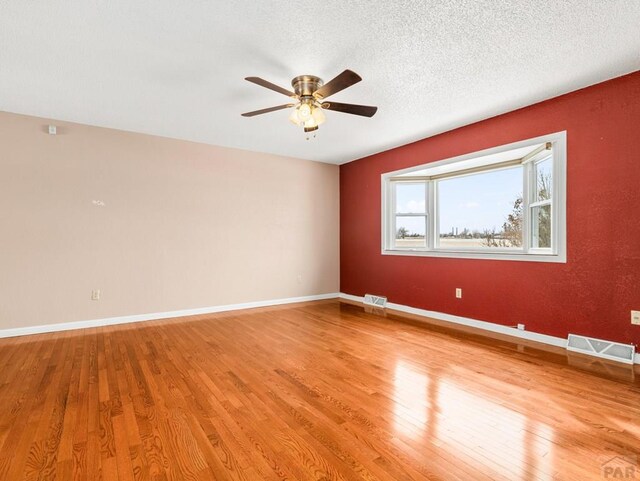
x: 315, y: 391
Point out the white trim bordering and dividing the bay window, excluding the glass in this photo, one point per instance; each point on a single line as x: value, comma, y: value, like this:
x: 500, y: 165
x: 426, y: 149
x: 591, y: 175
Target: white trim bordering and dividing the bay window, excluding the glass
x: 558, y: 208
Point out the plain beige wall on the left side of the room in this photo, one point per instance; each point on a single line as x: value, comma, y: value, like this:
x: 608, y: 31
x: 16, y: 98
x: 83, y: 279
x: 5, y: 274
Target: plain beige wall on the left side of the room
x: 184, y: 225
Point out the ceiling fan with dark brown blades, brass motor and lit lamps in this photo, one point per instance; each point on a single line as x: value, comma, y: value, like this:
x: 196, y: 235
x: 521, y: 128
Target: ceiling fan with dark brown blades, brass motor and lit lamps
x: 309, y: 97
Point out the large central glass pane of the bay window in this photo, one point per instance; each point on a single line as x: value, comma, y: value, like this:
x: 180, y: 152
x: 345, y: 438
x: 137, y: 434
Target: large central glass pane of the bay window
x: 481, y: 210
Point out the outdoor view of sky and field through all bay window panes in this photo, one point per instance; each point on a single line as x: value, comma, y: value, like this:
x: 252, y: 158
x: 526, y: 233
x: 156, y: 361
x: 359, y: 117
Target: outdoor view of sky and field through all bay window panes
x: 477, y: 211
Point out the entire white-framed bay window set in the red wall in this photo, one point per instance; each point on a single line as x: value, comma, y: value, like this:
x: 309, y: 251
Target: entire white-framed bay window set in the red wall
x: 502, y: 203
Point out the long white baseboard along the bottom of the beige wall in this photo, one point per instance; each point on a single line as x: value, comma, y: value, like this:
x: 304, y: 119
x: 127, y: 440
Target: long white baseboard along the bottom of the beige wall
x: 110, y: 321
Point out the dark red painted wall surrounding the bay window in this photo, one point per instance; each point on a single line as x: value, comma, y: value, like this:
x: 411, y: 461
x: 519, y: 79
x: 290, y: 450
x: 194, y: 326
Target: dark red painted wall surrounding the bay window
x: 592, y: 294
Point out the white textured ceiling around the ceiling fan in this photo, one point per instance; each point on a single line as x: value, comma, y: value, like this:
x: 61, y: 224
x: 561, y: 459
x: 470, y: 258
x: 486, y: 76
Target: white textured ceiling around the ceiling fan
x: 176, y: 69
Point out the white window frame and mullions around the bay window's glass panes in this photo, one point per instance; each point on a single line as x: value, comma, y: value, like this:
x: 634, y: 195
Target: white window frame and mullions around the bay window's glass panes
x: 557, y: 253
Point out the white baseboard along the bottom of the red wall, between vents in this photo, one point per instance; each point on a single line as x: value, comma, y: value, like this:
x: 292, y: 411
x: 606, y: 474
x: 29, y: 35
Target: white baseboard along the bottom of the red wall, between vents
x: 465, y: 321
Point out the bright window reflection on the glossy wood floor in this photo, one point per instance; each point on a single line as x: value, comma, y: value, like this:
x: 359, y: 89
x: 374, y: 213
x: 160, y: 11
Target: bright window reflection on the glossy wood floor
x: 480, y: 429
